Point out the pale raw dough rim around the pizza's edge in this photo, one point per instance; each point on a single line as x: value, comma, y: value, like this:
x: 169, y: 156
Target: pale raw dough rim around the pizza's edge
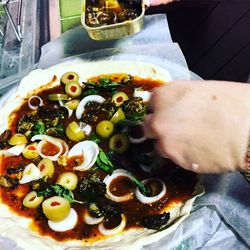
x: 18, y: 228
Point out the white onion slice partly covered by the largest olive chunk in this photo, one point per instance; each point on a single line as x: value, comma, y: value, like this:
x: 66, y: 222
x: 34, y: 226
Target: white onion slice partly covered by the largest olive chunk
x: 67, y: 224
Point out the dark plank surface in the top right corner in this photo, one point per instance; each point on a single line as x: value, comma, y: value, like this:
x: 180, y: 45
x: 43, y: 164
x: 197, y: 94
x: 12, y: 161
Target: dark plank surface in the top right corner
x: 213, y: 35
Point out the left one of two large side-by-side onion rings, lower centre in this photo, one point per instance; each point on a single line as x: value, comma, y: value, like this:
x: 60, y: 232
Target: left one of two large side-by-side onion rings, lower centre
x: 108, y: 180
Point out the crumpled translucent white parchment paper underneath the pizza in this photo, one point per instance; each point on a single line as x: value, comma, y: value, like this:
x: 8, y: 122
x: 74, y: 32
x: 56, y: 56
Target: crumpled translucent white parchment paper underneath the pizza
x: 220, y: 218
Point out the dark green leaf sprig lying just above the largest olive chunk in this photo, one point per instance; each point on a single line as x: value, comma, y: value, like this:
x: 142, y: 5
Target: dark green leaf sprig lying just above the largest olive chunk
x: 59, y: 190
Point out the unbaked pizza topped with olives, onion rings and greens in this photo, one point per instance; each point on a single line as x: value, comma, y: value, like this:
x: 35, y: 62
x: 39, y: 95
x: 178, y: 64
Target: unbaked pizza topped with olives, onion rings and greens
x: 76, y: 169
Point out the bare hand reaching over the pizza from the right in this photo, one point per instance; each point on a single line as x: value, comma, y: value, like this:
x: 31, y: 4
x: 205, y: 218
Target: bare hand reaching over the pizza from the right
x: 202, y: 126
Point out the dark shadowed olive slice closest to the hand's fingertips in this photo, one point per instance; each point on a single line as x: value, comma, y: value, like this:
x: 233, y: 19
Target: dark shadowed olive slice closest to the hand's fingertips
x: 119, y: 143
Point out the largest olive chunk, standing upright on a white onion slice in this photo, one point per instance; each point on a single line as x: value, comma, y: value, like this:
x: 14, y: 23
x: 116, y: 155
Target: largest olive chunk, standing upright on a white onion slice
x: 56, y: 208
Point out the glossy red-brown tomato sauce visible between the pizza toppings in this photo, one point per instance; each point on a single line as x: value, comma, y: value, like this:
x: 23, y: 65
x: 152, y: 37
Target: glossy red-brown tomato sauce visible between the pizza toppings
x: 180, y: 184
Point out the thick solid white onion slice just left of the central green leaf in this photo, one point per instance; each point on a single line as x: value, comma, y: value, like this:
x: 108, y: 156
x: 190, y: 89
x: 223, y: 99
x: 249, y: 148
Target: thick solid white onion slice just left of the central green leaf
x: 89, y: 150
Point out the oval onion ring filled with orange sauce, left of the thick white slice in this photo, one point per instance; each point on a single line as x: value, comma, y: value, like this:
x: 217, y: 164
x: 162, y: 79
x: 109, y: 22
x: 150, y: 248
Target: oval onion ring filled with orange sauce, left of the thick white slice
x: 44, y: 139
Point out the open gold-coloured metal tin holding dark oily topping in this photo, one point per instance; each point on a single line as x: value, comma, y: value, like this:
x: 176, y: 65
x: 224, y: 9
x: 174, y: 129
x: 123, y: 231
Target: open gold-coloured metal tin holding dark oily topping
x: 112, y: 19
